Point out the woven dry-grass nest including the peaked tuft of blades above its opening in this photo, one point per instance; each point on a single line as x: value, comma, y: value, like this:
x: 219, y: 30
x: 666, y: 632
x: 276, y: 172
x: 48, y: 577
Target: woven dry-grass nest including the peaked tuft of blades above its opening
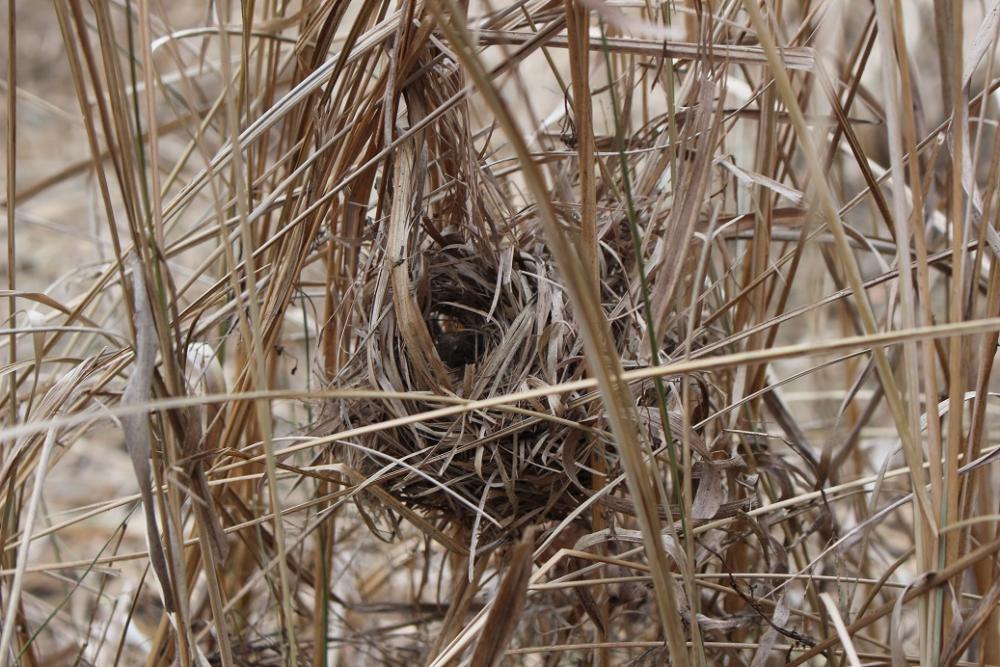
x: 462, y: 300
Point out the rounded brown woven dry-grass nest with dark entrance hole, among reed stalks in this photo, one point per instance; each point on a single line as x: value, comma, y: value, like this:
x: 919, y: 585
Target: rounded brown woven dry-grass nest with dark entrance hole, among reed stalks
x: 482, y: 324
